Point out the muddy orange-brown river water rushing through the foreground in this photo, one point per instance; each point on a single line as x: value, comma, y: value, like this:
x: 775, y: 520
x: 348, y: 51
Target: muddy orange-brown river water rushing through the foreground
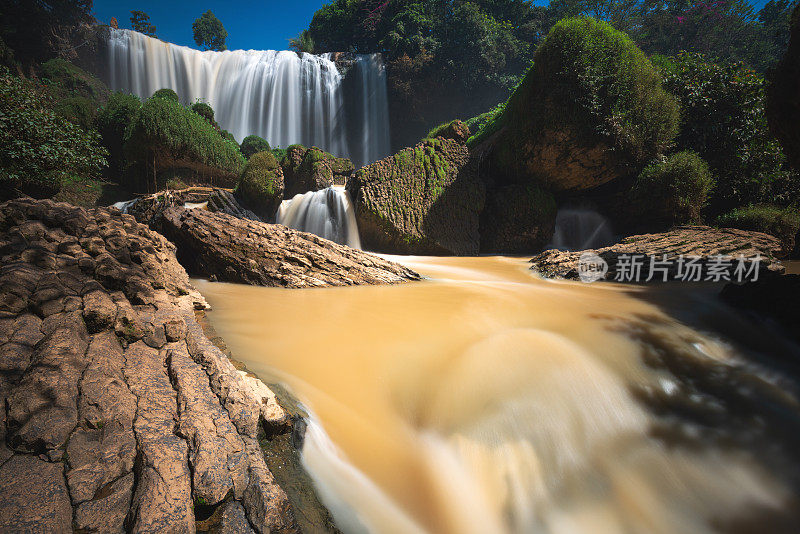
x: 486, y: 399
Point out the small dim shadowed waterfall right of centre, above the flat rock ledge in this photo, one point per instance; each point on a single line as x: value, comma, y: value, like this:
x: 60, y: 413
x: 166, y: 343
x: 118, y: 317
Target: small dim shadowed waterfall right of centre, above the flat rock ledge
x: 581, y: 229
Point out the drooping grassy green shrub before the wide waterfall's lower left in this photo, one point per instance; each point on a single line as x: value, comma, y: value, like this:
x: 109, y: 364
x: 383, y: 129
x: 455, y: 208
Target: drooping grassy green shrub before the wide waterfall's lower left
x: 166, y: 135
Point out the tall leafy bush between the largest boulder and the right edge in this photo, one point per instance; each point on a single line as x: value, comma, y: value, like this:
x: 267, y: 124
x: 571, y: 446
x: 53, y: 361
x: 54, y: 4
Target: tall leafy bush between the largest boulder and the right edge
x: 724, y: 121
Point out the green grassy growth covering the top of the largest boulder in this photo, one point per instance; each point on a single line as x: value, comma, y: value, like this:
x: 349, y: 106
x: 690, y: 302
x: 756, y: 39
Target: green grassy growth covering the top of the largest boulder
x: 592, y: 80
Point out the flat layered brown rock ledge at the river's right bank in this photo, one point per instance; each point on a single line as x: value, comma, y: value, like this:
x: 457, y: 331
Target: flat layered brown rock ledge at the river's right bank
x: 700, y: 241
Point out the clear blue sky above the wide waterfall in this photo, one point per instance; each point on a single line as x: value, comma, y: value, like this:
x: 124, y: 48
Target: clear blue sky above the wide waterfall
x: 260, y: 25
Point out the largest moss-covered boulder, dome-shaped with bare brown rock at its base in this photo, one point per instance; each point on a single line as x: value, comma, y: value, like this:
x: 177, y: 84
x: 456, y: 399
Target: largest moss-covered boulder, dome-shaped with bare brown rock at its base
x: 591, y: 109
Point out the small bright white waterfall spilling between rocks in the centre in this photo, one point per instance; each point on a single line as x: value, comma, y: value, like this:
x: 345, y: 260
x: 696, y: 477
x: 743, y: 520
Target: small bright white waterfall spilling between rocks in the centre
x: 327, y: 213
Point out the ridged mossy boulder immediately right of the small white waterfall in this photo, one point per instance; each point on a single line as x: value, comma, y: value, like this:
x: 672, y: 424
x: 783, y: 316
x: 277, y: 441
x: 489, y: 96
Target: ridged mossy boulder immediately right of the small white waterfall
x: 423, y: 200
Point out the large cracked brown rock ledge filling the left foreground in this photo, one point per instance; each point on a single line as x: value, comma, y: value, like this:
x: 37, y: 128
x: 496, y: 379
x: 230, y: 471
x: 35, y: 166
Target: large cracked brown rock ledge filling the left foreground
x: 119, y: 415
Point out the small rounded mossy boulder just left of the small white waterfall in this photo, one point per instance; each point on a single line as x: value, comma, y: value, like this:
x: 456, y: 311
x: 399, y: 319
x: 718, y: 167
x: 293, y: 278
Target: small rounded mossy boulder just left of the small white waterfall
x: 260, y: 186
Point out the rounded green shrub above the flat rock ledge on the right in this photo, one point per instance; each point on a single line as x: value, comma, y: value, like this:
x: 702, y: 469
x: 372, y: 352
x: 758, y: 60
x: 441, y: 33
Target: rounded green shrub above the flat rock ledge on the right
x: 672, y: 191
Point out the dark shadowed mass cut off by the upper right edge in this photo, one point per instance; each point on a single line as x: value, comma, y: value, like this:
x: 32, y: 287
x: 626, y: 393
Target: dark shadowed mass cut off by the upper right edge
x: 783, y: 96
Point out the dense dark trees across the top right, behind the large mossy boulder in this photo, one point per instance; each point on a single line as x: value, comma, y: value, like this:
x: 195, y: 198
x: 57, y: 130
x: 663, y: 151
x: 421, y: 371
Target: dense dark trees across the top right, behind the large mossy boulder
x: 458, y: 58
